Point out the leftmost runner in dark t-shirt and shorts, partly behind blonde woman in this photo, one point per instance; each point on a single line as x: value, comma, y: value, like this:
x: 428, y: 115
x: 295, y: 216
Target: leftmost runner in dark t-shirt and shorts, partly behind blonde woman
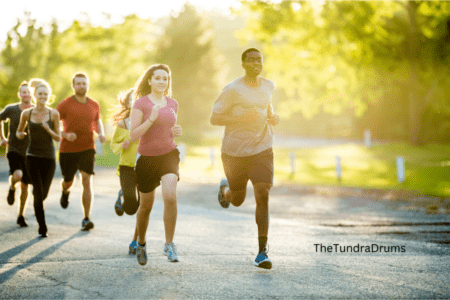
x: 16, y: 150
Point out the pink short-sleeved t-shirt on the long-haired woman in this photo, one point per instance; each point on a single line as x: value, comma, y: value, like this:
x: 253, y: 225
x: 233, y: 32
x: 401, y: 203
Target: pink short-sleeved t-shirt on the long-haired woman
x: 158, y: 140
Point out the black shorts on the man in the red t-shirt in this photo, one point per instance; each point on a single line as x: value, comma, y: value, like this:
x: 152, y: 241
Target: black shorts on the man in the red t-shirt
x: 73, y: 161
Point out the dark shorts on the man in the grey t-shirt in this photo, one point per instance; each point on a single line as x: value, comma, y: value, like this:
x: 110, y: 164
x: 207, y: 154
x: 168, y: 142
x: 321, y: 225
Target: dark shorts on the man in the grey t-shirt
x: 258, y: 168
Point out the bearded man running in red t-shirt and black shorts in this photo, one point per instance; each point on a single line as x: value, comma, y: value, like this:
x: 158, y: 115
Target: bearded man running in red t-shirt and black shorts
x: 80, y: 116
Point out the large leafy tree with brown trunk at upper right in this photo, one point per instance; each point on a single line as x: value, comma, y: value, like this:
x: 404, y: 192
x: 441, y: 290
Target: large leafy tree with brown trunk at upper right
x: 344, y: 53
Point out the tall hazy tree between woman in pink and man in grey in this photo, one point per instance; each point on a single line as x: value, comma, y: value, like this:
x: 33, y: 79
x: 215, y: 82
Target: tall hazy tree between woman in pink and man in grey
x: 187, y: 47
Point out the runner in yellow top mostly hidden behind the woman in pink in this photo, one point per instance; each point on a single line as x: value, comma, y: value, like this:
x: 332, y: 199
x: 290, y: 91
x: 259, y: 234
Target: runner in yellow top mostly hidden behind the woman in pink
x: 120, y: 143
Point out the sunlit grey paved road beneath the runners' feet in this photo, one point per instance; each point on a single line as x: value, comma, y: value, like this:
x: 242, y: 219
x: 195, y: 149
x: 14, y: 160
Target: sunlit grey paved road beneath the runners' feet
x: 217, y: 248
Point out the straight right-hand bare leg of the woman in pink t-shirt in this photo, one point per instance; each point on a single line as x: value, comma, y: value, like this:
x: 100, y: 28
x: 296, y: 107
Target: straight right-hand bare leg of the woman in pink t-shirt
x: 169, y: 193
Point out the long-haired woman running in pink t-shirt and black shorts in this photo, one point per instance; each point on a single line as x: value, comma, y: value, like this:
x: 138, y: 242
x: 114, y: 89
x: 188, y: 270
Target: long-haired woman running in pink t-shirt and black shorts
x: 153, y: 121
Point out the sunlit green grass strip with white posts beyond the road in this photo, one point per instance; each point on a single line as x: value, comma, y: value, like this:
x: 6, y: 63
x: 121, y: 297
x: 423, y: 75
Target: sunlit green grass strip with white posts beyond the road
x: 427, y: 168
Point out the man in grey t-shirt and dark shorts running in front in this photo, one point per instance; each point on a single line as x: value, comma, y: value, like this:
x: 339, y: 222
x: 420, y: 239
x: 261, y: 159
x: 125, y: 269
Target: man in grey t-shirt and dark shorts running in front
x: 245, y: 109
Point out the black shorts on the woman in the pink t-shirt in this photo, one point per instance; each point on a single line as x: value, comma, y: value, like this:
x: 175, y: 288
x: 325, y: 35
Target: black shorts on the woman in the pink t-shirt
x: 150, y: 169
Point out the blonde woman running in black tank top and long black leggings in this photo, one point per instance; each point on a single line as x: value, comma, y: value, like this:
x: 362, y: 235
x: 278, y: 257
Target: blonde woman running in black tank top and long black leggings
x: 43, y: 129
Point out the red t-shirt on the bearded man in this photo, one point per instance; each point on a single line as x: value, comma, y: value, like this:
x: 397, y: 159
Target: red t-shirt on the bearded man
x: 80, y: 118
